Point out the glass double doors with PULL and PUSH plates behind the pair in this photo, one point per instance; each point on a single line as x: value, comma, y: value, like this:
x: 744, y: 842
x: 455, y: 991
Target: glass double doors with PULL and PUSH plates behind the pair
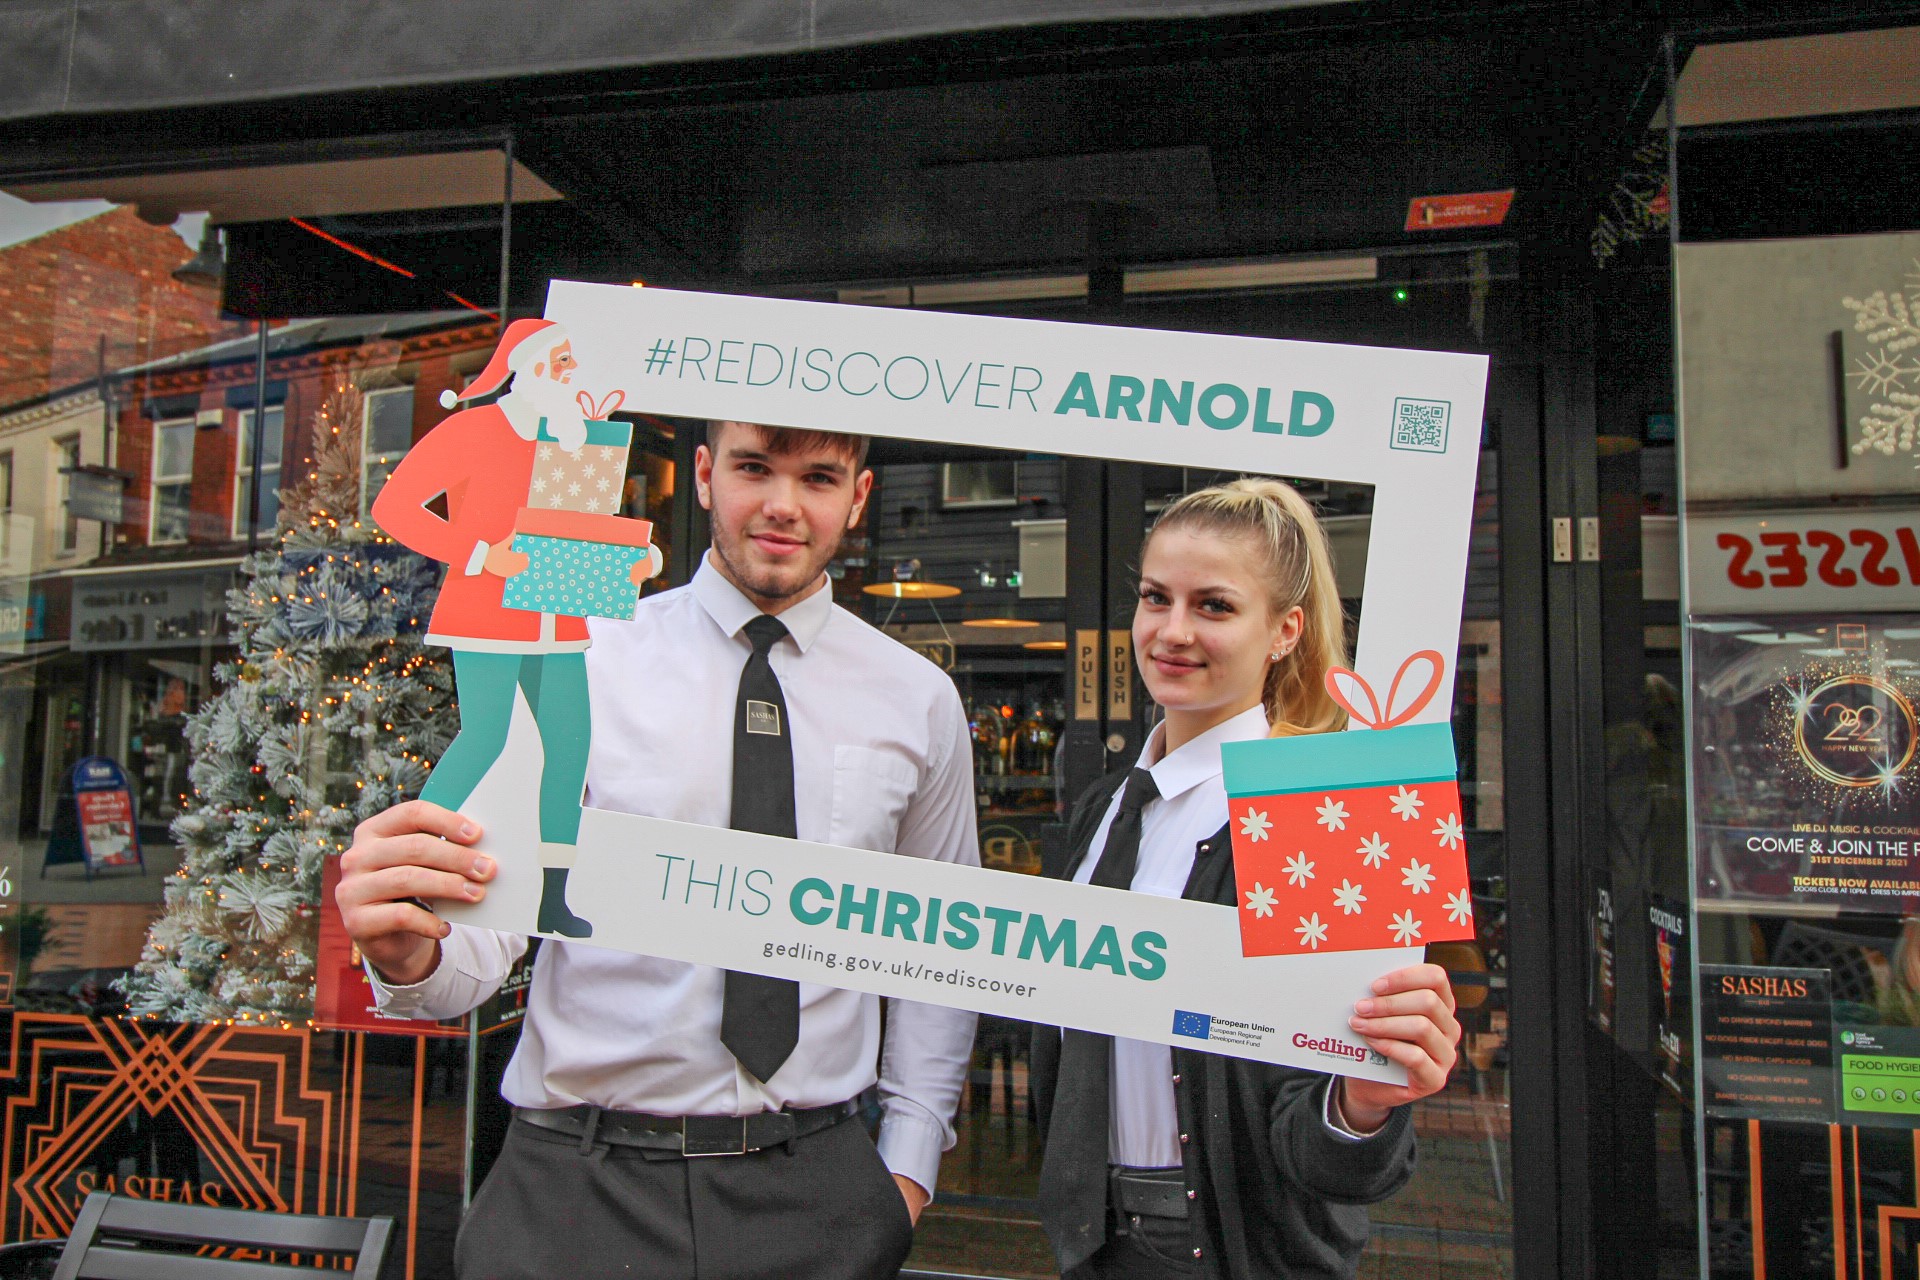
x: 1047, y: 671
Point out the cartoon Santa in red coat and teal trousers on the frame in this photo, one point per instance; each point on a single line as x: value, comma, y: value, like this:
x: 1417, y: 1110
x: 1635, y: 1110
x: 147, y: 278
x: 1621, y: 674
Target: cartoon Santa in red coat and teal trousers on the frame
x: 483, y: 462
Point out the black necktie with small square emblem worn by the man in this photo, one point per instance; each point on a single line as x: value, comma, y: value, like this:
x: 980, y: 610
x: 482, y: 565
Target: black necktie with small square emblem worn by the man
x: 761, y: 1018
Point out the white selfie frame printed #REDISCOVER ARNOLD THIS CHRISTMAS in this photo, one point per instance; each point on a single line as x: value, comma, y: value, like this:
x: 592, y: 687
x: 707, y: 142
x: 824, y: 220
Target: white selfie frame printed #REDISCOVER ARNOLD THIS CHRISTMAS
x: 1406, y: 423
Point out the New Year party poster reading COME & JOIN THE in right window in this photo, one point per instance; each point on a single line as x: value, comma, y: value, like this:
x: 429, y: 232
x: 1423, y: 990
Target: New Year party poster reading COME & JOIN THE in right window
x: 1806, y: 759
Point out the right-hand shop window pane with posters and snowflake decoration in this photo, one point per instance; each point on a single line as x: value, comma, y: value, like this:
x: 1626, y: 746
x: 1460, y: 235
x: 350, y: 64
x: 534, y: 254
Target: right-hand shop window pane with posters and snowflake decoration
x: 1800, y: 536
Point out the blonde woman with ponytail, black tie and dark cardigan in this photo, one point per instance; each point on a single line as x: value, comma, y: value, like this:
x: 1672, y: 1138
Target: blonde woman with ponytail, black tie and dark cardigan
x: 1170, y: 1162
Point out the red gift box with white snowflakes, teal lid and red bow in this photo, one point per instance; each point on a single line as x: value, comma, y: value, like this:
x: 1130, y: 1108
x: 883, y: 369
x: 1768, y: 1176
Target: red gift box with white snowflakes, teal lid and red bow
x: 1351, y: 841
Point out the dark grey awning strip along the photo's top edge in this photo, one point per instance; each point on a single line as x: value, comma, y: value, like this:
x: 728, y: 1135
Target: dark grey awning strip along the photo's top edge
x: 85, y: 57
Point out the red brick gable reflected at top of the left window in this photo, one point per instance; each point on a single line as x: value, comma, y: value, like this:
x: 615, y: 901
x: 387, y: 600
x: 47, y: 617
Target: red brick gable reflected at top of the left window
x: 105, y: 277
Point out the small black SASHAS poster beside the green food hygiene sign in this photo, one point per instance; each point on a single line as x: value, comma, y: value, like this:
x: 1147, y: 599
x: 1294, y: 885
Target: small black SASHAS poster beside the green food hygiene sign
x: 1767, y: 1043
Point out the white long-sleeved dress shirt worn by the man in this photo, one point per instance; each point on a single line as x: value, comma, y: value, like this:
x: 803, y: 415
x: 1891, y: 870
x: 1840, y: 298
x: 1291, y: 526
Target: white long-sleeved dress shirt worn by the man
x: 882, y: 761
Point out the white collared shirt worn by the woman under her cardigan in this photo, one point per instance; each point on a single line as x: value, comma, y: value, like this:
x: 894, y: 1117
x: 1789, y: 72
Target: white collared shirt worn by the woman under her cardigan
x: 1143, y: 1124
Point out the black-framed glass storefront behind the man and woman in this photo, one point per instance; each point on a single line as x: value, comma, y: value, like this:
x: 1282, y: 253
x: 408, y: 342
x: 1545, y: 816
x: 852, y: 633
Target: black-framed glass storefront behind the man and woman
x: 176, y: 400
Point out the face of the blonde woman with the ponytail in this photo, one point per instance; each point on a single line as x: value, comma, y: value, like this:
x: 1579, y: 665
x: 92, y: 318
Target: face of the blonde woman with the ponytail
x: 1205, y: 627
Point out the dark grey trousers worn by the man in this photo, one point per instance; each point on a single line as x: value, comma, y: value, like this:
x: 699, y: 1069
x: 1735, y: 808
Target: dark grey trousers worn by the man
x: 827, y: 1212
